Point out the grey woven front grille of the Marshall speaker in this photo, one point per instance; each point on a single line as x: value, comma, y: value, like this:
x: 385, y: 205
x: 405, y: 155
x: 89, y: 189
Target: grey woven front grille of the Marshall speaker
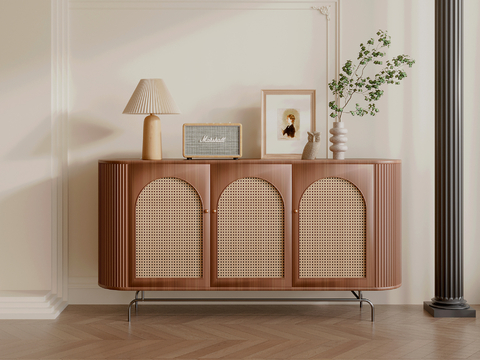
x: 193, y: 135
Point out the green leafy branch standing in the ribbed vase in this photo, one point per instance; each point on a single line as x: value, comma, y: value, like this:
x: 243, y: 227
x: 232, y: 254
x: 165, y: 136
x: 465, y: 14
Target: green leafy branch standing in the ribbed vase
x: 351, y: 80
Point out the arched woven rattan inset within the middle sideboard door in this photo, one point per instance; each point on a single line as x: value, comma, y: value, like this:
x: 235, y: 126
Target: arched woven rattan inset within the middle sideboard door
x: 250, y: 230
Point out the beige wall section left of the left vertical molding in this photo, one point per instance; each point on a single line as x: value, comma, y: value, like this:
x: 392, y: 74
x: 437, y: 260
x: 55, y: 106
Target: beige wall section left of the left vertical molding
x: 25, y: 170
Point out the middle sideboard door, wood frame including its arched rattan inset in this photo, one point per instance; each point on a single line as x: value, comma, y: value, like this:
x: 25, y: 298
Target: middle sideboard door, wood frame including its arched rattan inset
x: 251, y: 226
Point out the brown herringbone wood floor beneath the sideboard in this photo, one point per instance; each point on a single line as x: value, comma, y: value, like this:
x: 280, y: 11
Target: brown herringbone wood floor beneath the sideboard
x: 242, y: 332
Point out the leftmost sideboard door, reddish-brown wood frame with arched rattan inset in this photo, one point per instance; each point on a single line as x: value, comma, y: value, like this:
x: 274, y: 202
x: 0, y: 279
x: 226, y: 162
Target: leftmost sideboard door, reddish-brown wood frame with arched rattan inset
x: 170, y: 227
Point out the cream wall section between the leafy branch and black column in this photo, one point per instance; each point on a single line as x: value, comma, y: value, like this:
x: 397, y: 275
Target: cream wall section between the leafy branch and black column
x: 404, y: 128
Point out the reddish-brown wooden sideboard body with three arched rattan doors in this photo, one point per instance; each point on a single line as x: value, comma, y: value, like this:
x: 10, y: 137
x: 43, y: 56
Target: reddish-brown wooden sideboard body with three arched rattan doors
x: 249, y: 224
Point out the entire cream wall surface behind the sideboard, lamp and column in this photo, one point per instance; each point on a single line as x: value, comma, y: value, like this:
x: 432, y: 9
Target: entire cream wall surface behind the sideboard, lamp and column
x: 211, y: 80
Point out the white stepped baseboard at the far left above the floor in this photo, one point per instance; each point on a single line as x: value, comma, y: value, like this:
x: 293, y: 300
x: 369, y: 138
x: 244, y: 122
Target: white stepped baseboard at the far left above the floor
x: 30, y: 305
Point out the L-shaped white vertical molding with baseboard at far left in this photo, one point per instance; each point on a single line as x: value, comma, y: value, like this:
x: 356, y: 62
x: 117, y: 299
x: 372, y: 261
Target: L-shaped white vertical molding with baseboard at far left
x: 48, y: 304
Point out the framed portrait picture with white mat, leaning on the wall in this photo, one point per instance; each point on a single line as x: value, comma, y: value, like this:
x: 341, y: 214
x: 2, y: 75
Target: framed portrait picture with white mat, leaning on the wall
x: 287, y: 115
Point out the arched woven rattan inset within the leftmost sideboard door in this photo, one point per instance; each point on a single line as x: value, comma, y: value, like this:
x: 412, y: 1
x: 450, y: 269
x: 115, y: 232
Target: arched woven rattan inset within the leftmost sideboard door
x: 168, y: 230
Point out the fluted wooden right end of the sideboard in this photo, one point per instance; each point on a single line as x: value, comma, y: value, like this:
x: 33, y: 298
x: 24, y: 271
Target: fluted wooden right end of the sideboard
x: 388, y: 225
